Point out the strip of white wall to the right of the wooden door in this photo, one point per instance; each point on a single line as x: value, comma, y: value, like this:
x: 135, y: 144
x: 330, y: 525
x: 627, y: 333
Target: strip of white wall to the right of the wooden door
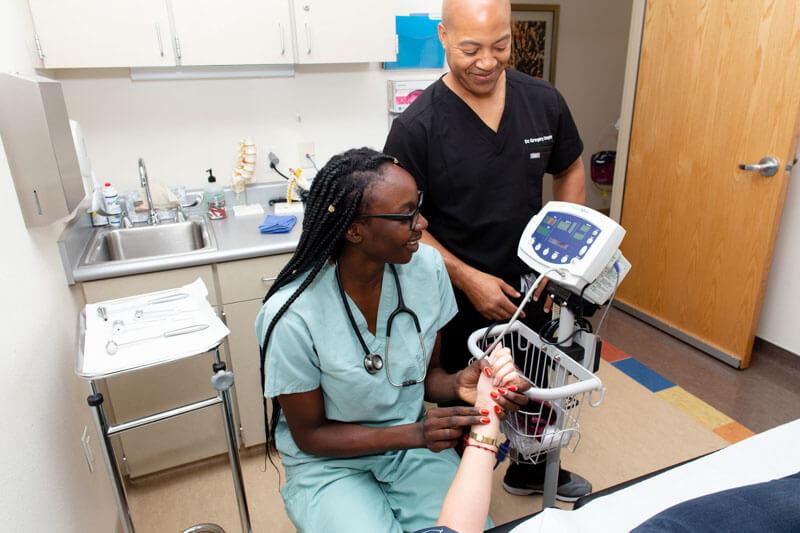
x: 778, y: 322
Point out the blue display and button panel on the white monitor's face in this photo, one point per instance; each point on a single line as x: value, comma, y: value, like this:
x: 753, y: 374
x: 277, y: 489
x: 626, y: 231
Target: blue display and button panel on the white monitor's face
x: 562, y: 237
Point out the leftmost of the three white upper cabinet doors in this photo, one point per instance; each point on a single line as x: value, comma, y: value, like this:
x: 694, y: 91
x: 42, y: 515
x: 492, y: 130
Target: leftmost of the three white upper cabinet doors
x: 100, y: 33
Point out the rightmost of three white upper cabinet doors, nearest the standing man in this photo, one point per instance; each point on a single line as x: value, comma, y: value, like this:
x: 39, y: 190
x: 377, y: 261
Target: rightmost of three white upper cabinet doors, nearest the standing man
x: 347, y: 31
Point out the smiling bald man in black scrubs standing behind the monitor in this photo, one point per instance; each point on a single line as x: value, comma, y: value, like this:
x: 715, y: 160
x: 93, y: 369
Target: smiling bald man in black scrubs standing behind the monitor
x: 479, y: 141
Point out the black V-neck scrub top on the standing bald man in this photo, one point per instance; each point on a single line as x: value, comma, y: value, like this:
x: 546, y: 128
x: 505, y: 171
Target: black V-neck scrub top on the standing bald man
x: 481, y: 186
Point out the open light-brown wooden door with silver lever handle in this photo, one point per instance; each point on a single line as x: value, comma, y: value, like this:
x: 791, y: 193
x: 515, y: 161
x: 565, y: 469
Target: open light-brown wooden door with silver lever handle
x: 718, y: 86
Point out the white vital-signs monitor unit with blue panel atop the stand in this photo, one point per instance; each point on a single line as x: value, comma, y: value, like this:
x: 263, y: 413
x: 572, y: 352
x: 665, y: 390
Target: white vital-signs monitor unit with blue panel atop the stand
x: 580, y: 245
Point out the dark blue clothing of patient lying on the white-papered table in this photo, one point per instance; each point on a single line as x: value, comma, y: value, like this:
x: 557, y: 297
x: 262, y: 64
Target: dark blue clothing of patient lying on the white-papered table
x: 773, y: 506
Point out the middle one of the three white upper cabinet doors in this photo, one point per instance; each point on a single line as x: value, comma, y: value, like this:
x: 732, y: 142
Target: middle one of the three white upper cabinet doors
x: 245, y: 32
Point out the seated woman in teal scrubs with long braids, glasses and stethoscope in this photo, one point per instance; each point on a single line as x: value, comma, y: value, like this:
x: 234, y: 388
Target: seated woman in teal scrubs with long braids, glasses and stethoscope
x: 359, y: 450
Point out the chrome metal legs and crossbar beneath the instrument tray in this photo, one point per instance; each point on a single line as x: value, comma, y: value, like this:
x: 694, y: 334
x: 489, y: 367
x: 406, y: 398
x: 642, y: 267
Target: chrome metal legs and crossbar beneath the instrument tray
x: 222, y: 380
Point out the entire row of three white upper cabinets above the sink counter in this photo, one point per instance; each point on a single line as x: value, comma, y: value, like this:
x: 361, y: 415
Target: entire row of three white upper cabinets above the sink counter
x: 163, y: 33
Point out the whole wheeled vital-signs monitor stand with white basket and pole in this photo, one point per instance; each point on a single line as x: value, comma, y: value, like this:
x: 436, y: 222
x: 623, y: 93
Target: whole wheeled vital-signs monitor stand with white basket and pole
x: 577, y: 248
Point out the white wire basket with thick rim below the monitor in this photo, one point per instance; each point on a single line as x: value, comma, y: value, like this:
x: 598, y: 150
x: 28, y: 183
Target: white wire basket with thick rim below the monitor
x: 559, y: 389
